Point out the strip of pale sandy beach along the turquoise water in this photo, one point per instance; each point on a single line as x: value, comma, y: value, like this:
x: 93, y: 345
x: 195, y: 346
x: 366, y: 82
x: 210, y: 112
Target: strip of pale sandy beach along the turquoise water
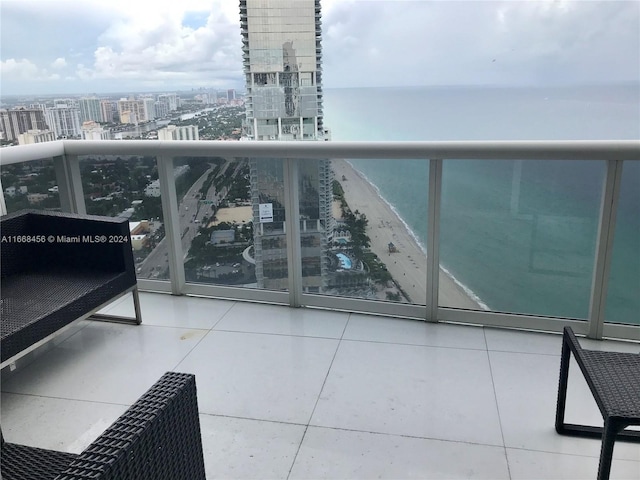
x: 408, y: 265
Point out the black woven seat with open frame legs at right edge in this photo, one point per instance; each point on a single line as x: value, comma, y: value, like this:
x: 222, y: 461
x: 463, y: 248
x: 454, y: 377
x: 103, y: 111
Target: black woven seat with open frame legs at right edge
x: 614, y: 380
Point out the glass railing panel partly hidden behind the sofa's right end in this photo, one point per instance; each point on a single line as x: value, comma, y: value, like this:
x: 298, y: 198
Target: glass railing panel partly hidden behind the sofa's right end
x: 127, y: 186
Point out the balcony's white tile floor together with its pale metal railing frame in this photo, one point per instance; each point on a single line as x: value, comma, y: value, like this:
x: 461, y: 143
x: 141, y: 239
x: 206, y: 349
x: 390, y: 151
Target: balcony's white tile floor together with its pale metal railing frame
x: 343, y: 387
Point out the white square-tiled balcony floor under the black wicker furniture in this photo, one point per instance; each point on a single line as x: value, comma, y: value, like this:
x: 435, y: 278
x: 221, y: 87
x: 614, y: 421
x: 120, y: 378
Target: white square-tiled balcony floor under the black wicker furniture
x: 301, y: 393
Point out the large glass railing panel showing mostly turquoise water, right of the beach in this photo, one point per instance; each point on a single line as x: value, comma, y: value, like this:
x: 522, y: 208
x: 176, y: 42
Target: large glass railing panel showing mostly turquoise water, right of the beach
x: 519, y: 236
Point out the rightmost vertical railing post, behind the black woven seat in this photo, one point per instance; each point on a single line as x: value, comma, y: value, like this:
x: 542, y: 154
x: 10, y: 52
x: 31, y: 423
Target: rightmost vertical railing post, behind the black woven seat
x: 604, y: 247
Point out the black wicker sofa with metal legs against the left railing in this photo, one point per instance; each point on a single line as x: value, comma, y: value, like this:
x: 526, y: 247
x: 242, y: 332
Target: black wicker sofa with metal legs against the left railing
x: 57, y: 268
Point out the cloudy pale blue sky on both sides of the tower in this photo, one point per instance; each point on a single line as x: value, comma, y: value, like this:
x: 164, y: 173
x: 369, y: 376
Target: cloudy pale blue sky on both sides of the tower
x: 101, y: 46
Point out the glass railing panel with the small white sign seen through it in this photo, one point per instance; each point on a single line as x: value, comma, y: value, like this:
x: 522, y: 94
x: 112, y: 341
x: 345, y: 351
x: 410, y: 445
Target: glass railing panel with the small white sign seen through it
x: 224, y: 201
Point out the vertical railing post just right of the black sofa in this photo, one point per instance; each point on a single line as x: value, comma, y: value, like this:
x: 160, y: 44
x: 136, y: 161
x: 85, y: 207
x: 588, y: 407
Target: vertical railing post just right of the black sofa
x: 171, y: 220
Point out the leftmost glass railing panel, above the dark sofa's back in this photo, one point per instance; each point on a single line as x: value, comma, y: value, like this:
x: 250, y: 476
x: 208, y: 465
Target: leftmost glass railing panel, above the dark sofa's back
x: 30, y: 185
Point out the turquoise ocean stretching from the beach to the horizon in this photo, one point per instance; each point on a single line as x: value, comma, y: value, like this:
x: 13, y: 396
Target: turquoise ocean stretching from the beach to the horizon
x: 520, y: 236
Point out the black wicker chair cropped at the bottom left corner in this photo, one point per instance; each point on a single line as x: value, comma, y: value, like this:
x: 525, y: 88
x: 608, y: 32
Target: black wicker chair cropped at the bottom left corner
x: 157, y: 438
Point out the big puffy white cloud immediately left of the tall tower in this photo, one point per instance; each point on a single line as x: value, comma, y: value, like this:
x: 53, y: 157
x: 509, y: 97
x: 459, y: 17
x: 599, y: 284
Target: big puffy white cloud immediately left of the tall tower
x: 157, y: 46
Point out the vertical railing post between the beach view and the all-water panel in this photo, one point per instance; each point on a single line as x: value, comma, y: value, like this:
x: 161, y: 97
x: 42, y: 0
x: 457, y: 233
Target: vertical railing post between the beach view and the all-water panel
x: 433, y: 238
